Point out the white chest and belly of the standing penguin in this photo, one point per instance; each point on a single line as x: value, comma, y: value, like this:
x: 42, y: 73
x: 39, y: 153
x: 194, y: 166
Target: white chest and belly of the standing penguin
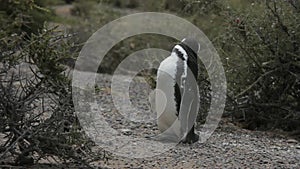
x: 165, y: 103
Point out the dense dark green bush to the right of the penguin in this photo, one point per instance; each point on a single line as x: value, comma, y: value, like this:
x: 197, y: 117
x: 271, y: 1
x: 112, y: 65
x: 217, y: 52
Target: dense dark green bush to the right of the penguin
x: 261, y: 49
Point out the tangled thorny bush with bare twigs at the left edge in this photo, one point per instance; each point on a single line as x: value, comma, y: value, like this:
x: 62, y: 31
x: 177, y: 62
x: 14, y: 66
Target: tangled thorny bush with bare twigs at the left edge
x: 37, y: 117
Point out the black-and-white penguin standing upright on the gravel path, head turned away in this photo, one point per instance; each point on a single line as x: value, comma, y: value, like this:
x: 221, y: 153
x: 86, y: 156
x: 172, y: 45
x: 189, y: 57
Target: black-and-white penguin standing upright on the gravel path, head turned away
x: 177, y: 95
